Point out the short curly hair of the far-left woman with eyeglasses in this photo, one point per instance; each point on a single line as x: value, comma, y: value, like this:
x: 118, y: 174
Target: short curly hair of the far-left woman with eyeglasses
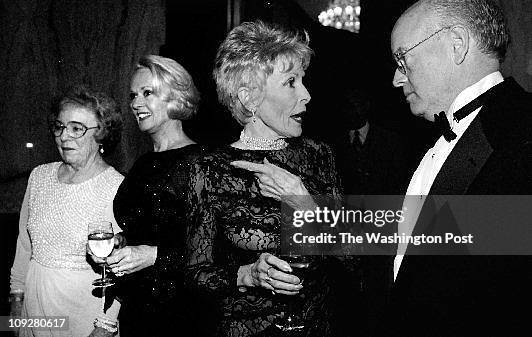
x: 105, y: 109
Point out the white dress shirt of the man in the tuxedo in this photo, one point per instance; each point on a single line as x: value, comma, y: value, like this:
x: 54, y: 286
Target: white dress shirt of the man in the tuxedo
x: 432, y: 162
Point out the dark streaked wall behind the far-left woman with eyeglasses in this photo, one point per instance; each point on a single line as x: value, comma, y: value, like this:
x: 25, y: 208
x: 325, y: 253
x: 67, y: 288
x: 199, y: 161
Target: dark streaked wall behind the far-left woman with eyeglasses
x: 45, y: 47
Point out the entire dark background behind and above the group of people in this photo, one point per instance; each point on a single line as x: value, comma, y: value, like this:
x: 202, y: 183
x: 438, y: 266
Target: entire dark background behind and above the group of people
x: 48, y: 45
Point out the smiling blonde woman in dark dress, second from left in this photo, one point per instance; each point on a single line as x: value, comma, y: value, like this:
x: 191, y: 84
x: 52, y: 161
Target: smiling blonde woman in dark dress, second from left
x: 149, y: 205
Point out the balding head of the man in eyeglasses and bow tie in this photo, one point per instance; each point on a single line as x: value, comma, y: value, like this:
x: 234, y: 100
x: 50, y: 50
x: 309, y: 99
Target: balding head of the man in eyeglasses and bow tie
x: 441, y: 49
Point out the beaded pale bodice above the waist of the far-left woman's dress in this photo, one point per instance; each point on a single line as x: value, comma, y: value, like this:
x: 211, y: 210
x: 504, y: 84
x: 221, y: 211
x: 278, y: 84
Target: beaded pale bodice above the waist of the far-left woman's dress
x: 60, y: 214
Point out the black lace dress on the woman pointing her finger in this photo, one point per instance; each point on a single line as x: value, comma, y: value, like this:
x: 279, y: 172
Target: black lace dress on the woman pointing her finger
x: 231, y: 224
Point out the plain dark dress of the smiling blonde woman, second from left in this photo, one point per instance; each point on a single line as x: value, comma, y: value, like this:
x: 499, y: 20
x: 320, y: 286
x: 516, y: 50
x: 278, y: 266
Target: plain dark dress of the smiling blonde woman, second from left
x: 149, y: 207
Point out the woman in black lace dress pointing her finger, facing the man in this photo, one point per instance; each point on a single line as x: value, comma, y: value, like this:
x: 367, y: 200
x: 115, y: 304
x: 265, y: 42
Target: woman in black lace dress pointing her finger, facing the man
x: 233, y: 240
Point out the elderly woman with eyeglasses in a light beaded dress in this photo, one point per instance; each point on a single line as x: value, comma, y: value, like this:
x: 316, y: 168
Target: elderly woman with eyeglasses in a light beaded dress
x: 50, y: 275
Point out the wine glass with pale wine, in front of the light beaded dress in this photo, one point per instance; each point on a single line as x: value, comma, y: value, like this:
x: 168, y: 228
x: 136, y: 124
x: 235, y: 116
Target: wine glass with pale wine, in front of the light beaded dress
x: 101, y: 243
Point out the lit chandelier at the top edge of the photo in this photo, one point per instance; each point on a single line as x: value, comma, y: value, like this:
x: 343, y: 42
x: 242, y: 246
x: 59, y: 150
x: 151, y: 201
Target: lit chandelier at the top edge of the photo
x: 342, y: 14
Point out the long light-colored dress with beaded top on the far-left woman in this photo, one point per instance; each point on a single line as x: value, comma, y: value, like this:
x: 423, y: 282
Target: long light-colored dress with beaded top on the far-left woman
x: 50, y: 263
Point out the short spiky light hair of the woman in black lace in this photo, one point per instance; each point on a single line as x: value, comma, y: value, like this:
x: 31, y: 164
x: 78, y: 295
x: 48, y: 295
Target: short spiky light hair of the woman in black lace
x: 249, y: 54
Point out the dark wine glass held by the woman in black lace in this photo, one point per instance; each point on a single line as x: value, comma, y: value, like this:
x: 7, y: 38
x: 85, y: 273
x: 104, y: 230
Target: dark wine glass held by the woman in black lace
x: 290, y: 323
